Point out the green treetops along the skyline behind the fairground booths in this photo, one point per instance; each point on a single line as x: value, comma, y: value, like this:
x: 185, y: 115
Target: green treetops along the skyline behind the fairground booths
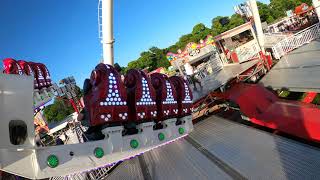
x: 156, y: 57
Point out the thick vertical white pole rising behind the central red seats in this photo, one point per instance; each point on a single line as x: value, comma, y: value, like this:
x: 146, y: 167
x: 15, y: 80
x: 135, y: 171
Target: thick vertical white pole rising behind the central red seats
x: 107, y: 31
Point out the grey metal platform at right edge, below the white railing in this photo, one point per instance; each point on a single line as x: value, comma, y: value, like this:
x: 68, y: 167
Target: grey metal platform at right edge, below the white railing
x: 297, y: 71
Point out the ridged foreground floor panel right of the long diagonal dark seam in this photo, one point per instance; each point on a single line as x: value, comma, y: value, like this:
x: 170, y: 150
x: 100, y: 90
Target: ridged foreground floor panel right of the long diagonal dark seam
x: 256, y: 154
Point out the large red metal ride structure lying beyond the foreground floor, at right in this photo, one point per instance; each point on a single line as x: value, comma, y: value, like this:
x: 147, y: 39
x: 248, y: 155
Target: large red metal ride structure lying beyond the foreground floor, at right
x: 264, y: 108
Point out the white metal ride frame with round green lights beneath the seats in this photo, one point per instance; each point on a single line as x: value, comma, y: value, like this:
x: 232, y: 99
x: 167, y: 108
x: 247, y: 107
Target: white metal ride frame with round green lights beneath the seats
x: 30, y: 161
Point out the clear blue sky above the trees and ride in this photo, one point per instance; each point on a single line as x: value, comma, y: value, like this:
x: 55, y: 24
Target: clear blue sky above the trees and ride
x: 64, y: 34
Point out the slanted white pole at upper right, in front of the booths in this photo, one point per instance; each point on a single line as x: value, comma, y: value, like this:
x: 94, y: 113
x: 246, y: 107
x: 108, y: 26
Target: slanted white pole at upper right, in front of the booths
x: 257, y: 22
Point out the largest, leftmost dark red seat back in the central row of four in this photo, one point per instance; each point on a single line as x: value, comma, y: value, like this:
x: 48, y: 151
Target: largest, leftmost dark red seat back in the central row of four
x: 106, y: 101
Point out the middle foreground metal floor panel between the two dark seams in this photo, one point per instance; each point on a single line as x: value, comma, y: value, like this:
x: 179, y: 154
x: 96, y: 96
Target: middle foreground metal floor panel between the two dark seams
x: 181, y: 160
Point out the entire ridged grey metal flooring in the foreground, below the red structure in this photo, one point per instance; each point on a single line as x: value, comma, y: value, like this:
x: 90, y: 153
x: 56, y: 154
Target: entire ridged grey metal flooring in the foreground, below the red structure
x: 221, y: 149
